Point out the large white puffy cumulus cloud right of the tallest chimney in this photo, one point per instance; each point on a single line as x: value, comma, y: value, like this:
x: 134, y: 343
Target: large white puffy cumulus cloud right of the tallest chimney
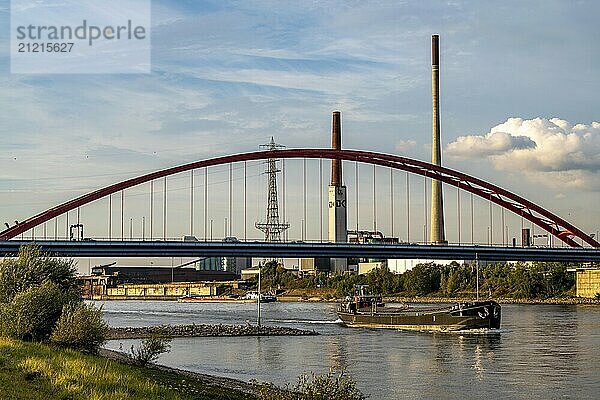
x: 553, y: 151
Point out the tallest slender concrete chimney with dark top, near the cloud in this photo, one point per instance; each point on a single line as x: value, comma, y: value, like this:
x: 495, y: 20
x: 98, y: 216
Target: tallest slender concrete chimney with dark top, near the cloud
x: 437, y: 235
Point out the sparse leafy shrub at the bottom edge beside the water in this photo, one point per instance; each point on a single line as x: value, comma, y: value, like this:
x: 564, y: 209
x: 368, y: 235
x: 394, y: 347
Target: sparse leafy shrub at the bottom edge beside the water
x: 330, y: 386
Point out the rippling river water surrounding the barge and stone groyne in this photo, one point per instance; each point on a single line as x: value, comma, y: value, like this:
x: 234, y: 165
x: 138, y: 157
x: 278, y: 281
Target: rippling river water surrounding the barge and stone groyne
x: 541, y: 352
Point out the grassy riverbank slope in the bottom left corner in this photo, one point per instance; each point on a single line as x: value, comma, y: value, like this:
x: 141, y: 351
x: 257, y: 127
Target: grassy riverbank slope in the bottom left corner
x: 37, y: 371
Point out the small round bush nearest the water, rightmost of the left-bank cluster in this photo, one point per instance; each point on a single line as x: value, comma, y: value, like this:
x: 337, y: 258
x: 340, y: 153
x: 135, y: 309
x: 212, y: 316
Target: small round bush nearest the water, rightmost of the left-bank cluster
x: 80, y: 327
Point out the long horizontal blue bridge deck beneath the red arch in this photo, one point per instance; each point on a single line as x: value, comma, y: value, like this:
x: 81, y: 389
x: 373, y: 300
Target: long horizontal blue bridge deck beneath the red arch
x: 281, y: 250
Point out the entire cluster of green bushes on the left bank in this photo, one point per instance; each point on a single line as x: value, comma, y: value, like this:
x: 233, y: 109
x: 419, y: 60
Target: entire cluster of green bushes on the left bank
x: 37, y: 290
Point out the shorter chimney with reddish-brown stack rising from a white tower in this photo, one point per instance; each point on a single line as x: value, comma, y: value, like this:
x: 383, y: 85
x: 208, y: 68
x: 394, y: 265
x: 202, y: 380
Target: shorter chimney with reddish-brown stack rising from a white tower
x: 338, y: 226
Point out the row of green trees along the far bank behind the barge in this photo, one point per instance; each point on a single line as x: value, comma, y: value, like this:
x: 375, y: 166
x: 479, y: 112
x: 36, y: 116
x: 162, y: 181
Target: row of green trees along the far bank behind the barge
x: 537, y: 280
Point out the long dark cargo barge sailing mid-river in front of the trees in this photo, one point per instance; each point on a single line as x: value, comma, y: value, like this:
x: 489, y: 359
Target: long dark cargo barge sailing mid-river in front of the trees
x: 369, y: 311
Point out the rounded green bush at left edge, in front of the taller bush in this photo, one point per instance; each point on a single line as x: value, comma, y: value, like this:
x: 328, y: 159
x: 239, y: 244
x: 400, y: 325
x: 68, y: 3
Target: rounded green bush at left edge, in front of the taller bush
x: 32, y: 314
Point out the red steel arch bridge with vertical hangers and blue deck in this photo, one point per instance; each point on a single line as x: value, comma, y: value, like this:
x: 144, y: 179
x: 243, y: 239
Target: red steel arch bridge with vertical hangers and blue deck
x: 578, y: 241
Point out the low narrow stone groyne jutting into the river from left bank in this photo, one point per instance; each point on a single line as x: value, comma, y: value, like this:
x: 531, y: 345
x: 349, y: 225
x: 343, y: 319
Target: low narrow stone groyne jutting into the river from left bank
x: 205, y: 330
